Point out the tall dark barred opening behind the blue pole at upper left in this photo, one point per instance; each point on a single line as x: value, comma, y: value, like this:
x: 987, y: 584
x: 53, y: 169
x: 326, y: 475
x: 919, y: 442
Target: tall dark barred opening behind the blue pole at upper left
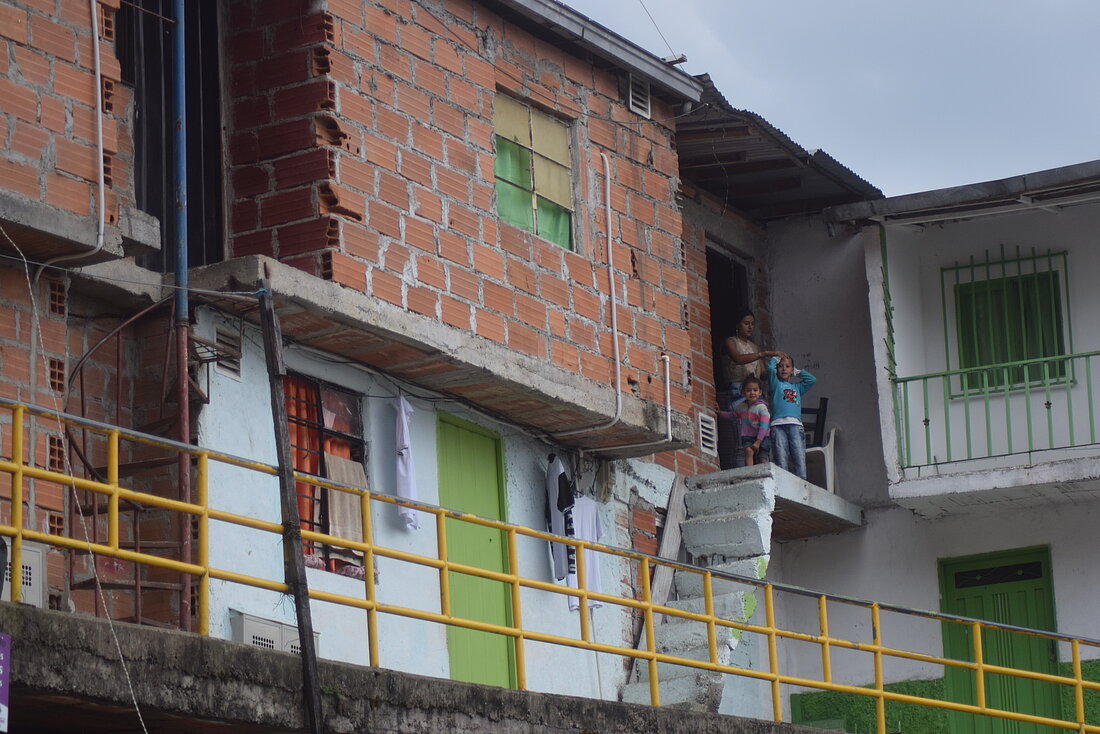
x: 145, y: 47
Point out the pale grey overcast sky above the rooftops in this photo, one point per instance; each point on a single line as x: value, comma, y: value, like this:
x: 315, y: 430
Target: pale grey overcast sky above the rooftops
x: 911, y: 95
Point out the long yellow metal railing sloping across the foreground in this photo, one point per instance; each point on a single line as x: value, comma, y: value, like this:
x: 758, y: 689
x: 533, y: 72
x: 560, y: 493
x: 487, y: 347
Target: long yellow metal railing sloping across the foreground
x: 799, y: 634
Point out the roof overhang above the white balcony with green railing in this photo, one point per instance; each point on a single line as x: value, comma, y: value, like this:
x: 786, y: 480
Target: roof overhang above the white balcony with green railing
x: 1043, y: 190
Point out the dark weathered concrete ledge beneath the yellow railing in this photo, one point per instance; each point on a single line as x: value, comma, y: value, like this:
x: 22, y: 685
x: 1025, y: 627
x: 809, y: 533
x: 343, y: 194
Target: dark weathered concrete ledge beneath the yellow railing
x: 67, y: 674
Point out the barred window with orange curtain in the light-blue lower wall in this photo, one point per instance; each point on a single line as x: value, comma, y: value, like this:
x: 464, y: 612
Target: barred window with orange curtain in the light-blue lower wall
x: 326, y: 429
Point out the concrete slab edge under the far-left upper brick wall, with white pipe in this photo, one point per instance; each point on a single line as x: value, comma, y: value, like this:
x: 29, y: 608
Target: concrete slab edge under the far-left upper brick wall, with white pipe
x: 43, y: 233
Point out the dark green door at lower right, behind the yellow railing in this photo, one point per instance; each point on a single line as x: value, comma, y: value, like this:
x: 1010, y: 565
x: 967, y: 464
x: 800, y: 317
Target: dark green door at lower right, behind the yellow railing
x: 1013, y: 587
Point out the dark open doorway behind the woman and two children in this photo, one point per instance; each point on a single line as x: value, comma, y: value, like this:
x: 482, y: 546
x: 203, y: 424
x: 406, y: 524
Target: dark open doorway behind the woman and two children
x: 728, y: 284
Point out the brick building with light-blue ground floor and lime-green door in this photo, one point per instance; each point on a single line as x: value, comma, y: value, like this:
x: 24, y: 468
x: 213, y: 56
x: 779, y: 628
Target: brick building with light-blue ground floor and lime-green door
x: 500, y: 211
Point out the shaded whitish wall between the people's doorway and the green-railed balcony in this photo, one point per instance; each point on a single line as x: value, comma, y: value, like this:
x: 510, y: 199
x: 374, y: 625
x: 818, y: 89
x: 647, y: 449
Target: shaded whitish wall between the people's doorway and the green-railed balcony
x: 820, y: 309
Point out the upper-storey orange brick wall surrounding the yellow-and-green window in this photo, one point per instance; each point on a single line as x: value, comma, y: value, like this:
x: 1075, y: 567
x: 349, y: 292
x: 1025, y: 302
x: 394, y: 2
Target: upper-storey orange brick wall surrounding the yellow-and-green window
x: 362, y: 152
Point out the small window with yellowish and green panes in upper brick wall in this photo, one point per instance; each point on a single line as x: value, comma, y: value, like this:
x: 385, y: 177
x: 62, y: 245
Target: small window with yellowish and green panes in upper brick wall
x: 534, y: 171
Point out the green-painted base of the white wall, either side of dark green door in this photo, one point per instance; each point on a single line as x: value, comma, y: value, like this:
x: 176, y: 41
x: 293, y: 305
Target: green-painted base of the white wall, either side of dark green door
x: 856, y: 714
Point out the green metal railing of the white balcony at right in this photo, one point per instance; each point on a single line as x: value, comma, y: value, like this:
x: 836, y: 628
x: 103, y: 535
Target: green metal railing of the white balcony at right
x: 998, y: 410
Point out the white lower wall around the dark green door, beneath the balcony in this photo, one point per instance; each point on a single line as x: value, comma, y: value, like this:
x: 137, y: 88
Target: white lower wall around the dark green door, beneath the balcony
x: 893, y: 561
